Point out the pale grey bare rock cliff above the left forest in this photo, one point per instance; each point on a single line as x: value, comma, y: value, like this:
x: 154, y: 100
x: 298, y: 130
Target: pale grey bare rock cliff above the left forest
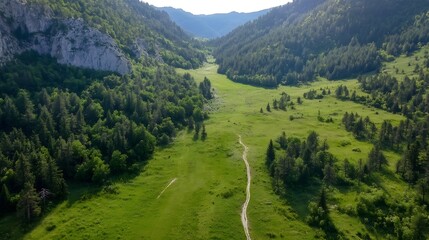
x: 25, y: 26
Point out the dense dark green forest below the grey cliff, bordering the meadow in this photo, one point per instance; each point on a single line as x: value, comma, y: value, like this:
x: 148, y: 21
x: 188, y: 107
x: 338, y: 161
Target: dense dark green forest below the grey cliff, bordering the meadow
x: 110, y: 124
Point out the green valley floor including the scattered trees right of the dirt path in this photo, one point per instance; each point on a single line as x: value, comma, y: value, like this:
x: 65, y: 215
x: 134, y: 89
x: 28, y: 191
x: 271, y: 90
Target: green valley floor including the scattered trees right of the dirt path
x: 363, y: 202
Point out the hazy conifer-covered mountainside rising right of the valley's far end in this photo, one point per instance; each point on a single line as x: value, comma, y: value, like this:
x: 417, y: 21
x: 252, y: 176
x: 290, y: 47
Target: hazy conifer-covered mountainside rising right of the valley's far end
x: 335, y: 39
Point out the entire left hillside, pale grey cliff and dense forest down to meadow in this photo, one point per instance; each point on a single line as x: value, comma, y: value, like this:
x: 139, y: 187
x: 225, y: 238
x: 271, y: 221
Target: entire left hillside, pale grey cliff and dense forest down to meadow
x: 88, y: 91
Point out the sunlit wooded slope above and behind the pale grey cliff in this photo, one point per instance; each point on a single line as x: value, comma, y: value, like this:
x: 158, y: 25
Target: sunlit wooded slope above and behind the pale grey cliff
x: 132, y: 23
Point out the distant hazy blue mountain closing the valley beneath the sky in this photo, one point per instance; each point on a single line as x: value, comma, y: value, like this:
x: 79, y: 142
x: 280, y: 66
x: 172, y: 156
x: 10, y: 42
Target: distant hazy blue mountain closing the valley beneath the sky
x: 210, y: 26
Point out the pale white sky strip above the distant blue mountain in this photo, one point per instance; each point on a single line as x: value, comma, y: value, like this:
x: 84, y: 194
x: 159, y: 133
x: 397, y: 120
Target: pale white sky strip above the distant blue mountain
x: 218, y: 6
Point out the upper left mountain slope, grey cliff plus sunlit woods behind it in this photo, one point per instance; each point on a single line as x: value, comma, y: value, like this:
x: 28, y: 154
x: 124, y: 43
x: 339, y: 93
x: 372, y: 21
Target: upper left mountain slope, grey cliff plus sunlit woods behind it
x: 79, y: 32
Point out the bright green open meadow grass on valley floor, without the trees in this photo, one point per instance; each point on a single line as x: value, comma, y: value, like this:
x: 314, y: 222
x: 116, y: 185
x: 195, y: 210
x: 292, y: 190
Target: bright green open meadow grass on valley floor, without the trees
x: 205, y: 200
